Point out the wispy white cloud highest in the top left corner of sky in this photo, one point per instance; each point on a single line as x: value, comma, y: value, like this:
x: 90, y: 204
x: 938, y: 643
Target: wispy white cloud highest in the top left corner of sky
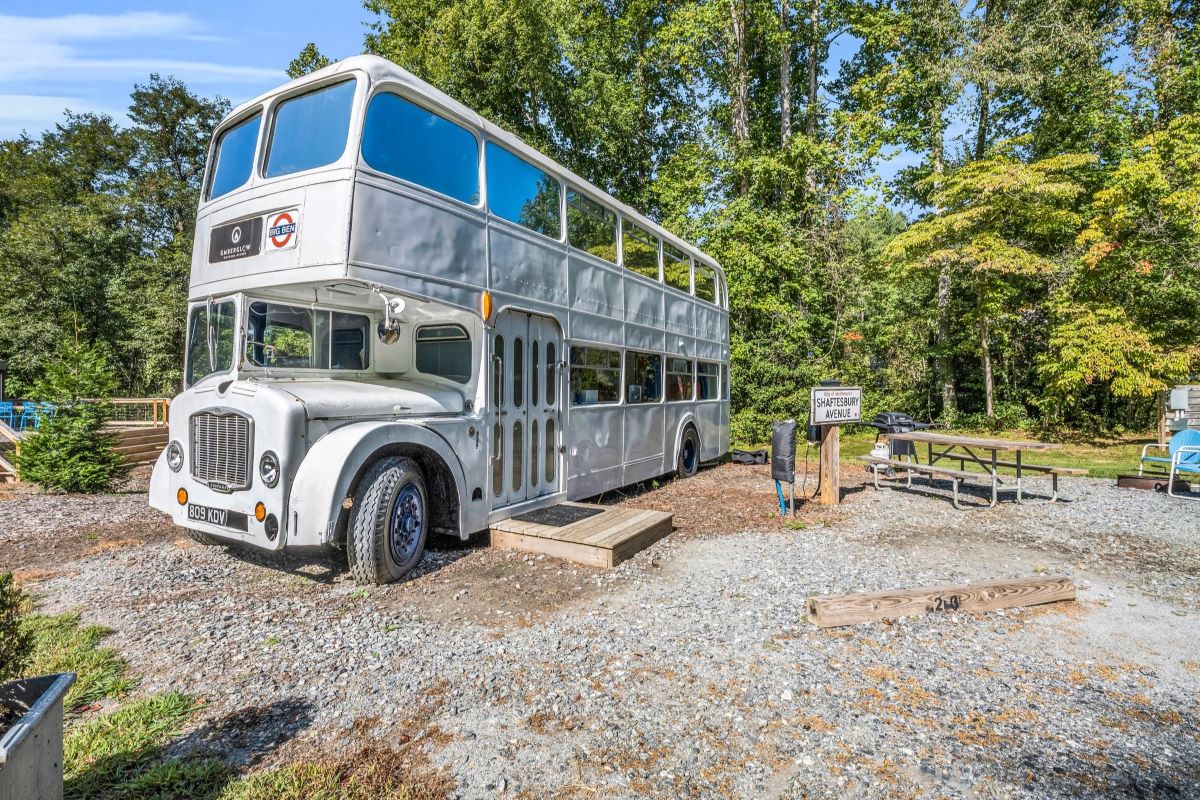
x: 55, y: 49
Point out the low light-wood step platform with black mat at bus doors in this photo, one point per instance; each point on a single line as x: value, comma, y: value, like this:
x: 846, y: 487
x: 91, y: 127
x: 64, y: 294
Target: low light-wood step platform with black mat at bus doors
x: 603, y: 540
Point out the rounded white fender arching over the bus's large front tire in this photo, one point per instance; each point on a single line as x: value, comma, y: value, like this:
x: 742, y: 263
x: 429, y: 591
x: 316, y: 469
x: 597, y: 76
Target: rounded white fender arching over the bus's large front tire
x: 328, y: 472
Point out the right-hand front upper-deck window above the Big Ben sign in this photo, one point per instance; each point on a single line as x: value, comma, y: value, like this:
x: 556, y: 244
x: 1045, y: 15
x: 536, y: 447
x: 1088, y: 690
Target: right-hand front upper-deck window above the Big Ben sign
x: 310, y: 131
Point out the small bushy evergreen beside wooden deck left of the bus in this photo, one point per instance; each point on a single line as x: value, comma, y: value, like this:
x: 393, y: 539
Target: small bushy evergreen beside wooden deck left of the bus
x: 71, y: 453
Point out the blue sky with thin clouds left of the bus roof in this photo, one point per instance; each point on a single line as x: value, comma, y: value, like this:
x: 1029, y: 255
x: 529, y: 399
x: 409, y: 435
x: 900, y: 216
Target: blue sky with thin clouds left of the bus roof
x: 88, y: 56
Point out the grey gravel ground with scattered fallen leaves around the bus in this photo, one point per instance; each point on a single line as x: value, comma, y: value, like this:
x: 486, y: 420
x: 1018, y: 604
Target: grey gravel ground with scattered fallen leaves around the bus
x: 689, y: 671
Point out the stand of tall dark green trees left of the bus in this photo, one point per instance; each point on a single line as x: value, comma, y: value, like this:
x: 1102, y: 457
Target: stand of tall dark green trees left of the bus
x: 97, y: 231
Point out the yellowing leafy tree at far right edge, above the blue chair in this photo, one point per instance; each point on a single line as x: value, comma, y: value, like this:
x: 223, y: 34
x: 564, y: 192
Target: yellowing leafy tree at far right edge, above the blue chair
x: 1124, y: 326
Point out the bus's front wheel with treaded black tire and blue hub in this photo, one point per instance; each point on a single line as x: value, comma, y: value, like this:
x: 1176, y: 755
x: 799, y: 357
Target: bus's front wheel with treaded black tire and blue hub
x: 389, y: 522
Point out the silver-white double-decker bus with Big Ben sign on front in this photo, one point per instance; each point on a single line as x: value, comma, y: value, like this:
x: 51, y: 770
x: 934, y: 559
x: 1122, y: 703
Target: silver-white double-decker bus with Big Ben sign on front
x: 404, y: 320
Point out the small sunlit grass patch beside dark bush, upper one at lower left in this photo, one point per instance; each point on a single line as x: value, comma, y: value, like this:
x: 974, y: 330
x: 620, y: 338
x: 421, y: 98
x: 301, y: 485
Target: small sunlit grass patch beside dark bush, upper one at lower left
x: 62, y: 645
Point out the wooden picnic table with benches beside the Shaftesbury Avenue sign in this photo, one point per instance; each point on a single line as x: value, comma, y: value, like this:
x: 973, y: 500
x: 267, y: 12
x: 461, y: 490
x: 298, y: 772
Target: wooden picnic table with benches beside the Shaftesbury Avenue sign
x: 982, y: 453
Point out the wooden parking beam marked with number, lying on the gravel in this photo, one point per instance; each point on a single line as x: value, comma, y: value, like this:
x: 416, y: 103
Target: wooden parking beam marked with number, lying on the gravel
x: 832, y: 611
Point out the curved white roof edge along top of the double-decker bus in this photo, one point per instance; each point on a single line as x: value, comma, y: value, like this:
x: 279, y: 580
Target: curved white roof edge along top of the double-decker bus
x: 382, y: 70
